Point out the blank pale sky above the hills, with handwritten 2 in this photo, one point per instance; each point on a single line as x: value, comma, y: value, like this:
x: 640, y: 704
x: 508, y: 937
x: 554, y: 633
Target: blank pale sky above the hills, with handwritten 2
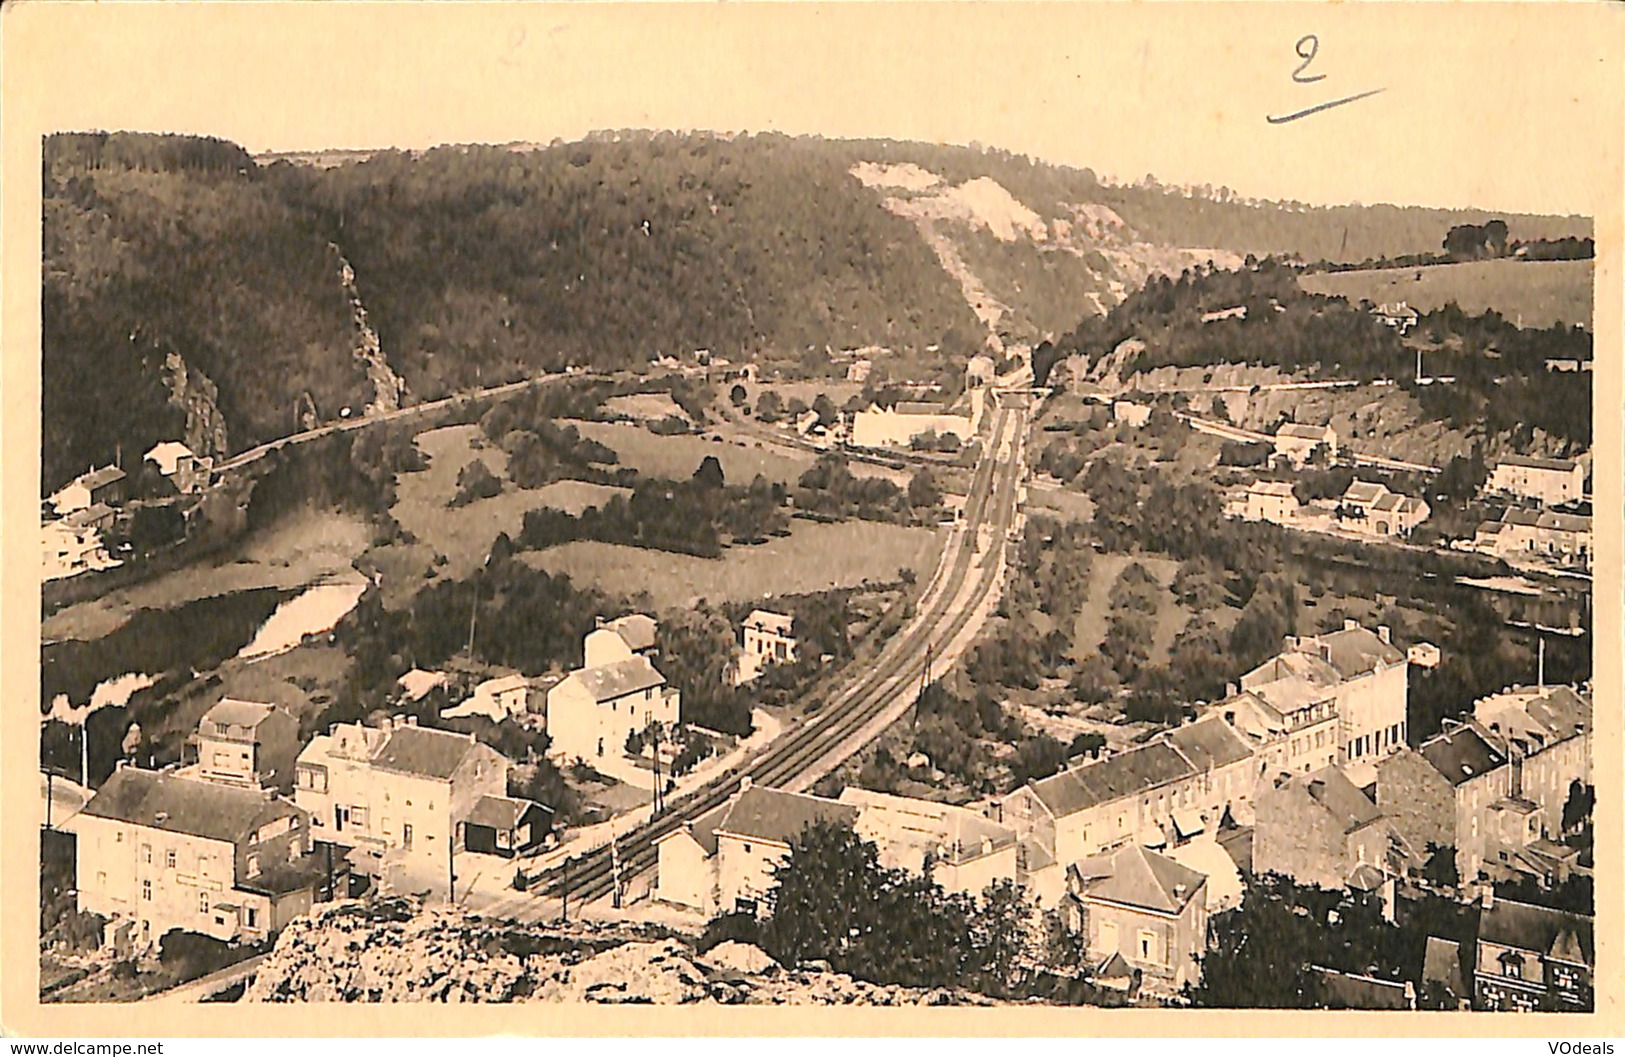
x: 1486, y: 105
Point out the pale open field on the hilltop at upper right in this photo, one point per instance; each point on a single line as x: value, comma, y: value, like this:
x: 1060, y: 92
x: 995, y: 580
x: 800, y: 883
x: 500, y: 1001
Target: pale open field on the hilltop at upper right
x: 1535, y: 292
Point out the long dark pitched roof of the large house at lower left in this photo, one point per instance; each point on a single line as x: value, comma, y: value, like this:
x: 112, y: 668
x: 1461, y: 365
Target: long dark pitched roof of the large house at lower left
x: 176, y: 804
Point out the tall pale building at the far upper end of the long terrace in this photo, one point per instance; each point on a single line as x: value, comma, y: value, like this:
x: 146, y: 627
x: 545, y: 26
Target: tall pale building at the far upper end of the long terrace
x: 1363, y: 672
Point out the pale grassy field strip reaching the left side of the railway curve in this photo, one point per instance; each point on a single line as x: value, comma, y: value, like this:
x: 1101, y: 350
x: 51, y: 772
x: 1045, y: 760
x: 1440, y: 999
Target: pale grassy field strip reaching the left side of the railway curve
x: 813, y: 559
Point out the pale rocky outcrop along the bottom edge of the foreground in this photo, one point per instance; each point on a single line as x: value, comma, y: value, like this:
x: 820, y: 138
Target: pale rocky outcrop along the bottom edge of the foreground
x: 355, y: 954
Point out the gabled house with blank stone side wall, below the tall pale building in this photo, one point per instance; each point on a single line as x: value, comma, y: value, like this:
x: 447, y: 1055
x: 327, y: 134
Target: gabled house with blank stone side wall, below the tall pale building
x: 1322, y: 830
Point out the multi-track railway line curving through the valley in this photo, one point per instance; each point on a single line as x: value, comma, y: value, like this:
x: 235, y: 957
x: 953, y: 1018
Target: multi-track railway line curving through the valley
x: 820, y: 741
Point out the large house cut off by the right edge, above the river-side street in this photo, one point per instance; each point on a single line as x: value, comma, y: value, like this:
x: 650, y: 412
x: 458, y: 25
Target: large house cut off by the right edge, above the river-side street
x: 1546, y: 736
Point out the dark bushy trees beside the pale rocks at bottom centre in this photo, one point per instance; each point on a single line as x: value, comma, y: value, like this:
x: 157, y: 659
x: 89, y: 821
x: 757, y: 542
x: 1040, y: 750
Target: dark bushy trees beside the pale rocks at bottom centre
x: 834, y: 902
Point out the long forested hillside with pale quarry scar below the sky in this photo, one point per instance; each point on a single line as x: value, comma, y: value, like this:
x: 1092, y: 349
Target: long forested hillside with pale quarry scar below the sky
x: 194, y: 292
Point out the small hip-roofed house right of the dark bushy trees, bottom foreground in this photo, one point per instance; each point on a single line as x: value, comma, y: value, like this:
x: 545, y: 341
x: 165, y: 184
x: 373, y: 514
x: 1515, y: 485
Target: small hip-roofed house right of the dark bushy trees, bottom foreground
x: 1142, y: 916
